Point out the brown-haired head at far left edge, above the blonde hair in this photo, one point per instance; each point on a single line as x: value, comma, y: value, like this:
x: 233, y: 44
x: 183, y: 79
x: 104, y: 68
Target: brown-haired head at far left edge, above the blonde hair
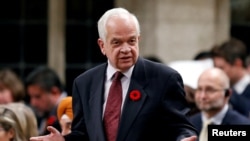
x: 11, y: 87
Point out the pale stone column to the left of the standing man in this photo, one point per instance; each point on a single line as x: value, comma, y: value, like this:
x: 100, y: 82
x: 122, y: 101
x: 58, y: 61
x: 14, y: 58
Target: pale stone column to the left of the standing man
x: 56, y: 36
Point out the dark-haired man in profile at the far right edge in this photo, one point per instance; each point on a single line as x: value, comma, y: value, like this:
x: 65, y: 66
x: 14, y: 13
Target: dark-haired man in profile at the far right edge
x: 230, y: 56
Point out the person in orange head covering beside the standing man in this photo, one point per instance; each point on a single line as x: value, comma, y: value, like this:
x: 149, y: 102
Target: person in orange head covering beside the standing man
x: 65, y: 114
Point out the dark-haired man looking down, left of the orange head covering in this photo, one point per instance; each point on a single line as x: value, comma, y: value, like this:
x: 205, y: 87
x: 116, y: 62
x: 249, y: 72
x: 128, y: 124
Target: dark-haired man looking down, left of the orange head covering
x: 45, y: 91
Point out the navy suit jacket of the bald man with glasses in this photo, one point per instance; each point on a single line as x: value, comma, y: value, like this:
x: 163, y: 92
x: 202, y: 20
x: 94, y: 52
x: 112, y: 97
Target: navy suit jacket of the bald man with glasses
x: 231, y: 118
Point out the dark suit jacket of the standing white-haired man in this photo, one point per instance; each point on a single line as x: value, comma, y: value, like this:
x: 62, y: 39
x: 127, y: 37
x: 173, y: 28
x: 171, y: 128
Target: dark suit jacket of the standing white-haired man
x: 158, y: 115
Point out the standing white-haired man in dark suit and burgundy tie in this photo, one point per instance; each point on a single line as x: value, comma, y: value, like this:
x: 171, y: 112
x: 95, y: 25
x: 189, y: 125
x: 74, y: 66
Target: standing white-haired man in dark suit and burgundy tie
x: 153, y: 105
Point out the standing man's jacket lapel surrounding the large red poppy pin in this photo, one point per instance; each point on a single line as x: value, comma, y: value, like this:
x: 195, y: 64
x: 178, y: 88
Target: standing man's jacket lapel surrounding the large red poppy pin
x: 132, y: 108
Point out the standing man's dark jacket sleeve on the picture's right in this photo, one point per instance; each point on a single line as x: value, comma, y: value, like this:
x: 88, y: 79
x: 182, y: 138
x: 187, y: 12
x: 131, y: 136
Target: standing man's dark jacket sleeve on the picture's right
x: 174, y: 101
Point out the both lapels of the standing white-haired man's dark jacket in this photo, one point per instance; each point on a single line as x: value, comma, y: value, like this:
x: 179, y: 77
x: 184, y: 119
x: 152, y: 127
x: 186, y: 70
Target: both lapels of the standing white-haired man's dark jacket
x: 131, y: 108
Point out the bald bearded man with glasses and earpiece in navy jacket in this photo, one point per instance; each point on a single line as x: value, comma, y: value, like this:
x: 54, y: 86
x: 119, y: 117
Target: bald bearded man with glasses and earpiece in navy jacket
x: 212, y: 98
